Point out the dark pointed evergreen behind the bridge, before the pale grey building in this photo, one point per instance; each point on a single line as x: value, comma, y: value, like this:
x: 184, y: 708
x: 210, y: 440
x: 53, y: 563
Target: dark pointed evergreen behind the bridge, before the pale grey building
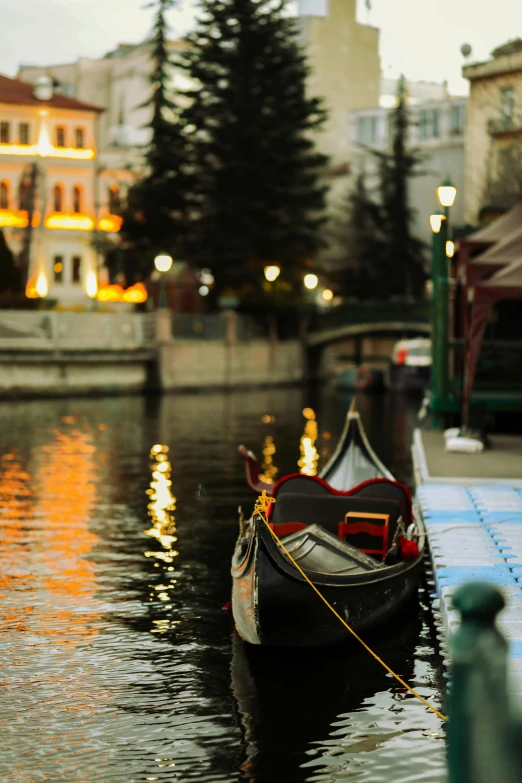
x: 387, y: 258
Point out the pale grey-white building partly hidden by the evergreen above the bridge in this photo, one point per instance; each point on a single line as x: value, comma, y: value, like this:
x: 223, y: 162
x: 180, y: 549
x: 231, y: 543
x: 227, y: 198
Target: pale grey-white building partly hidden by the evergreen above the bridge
x: 438, y: 128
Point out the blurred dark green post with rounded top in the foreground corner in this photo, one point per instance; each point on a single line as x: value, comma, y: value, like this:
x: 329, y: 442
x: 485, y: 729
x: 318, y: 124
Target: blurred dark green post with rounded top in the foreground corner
x: 484, y: 734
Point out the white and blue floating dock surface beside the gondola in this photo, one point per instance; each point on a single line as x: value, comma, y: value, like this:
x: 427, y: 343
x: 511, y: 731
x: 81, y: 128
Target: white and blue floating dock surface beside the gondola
x: 474, y: 529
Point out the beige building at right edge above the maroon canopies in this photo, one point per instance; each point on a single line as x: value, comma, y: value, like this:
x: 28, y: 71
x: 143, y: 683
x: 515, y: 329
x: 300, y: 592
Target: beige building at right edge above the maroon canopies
x: 494, y: 132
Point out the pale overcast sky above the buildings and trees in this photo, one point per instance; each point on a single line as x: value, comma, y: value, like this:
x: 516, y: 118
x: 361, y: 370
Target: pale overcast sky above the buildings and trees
x: 420, y: 38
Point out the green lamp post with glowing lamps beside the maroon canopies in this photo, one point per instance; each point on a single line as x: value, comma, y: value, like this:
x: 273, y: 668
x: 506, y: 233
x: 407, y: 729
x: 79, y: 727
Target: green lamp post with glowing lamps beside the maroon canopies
x: 446, y: 194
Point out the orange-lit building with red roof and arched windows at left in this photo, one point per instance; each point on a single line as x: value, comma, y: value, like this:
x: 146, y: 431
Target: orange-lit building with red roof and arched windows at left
x: 49, y: 176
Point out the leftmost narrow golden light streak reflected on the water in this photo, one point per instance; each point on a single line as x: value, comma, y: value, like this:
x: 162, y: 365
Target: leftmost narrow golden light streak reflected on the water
x: 162, y: 505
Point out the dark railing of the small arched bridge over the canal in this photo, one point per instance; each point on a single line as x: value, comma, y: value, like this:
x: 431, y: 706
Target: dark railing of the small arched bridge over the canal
x: 371, y: 311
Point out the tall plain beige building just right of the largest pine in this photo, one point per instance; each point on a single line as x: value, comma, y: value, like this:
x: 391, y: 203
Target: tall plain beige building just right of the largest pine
x: 345, y: 68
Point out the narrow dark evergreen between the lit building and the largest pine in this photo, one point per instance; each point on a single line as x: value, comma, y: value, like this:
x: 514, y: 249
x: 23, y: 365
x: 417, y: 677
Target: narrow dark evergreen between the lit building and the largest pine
x: 155, y: 218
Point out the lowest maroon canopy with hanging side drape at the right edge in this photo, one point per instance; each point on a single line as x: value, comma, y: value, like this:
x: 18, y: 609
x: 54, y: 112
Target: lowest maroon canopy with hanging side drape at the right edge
x: 505, y: 284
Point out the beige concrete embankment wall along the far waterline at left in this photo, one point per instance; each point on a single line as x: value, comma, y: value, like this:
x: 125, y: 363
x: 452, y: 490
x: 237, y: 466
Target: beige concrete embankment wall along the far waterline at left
x: 59, y: 354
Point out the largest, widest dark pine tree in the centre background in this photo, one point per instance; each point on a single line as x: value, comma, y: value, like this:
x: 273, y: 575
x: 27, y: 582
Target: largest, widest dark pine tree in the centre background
x: 250, y: 123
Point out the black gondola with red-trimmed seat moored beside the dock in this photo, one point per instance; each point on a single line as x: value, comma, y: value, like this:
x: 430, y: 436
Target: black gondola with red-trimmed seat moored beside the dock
x: 352, y: 530
